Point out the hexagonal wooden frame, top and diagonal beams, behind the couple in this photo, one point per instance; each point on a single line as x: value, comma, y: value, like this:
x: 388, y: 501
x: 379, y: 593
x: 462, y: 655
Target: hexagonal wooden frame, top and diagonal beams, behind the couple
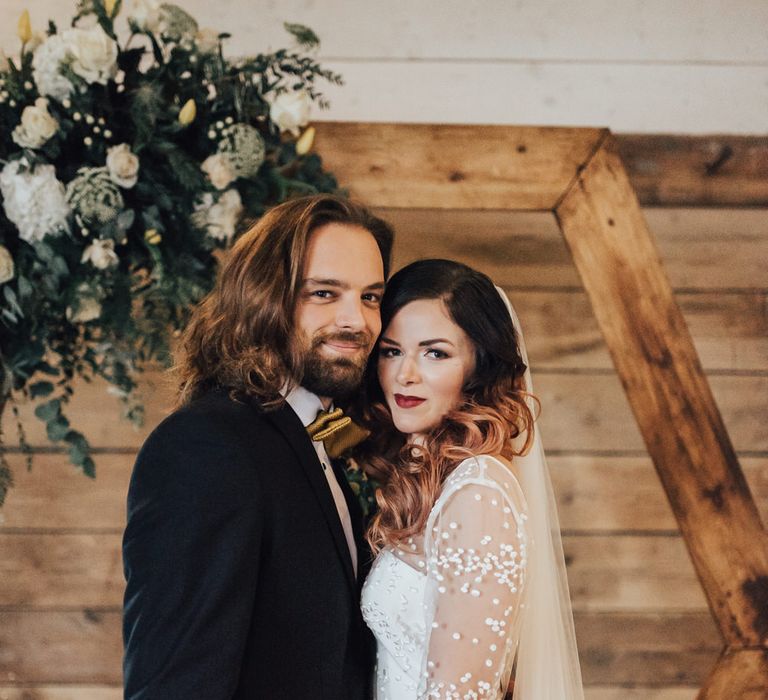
x: 578, y: 175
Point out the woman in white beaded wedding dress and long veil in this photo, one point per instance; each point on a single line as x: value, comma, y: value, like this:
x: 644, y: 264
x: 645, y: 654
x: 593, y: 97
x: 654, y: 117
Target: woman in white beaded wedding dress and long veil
x: 468, y: 584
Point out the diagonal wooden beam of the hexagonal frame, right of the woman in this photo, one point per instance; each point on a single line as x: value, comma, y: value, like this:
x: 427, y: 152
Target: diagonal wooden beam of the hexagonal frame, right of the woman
x: 669, y: 394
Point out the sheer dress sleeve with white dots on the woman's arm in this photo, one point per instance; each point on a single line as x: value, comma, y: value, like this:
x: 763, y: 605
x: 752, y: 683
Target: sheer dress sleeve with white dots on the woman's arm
x: 475, y: 548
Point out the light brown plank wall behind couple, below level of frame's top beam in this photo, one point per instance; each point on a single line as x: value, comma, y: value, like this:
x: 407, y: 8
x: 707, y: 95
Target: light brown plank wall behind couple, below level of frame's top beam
x: 642, y: 624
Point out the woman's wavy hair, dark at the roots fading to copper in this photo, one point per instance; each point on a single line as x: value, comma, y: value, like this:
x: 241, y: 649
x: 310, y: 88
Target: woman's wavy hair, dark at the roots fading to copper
x: 492, y: 413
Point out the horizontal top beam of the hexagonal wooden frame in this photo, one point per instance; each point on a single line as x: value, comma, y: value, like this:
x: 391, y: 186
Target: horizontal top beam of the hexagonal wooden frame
x: 429, y: 165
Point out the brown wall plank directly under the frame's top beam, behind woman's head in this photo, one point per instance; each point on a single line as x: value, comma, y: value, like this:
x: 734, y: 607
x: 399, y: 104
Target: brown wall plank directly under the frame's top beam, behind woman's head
x: 700, y: 248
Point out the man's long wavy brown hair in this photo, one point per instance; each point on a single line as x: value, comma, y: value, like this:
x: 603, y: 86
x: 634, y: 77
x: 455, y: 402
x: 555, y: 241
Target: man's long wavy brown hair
x: 241, y: 335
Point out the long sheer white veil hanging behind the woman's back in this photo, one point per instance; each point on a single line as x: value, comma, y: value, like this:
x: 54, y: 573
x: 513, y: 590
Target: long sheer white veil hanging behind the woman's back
x: 547, y: 660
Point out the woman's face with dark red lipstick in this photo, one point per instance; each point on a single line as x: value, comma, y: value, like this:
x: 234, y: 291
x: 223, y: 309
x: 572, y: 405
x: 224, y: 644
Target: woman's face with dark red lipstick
x: 424, y: 361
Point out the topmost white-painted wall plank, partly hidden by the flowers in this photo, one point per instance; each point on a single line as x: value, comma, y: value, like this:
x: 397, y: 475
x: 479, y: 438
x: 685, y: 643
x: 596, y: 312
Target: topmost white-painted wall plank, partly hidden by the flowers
x: 687, y: 31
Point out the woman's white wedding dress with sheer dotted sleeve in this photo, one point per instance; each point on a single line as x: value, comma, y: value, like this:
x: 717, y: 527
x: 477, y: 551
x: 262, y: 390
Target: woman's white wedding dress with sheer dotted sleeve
x: 445, y: 607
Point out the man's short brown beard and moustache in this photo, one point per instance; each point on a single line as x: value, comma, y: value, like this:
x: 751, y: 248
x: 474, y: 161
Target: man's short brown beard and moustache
x: 335, y: 377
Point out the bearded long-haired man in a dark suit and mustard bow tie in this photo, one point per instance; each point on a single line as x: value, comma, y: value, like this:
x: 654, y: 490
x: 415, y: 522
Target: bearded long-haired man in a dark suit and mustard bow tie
x: 243, y: 552
